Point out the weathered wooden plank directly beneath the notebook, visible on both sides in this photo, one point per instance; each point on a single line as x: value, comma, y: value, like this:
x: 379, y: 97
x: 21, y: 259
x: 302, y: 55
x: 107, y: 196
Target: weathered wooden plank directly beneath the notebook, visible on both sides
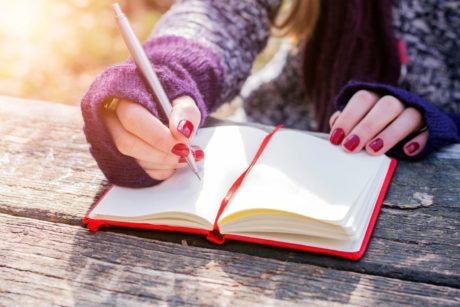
x: 47, y: 173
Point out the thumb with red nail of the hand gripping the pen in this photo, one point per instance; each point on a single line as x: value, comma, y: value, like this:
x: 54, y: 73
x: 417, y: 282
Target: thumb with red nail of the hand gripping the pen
x: 185, y: 118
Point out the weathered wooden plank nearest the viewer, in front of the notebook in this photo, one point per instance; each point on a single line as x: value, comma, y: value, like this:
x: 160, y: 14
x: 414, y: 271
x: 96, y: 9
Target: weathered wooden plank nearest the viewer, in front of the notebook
x: 44, y: 263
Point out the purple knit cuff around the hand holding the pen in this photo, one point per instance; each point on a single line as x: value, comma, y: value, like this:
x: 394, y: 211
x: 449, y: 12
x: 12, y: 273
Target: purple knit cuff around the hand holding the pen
x: 180, y: 75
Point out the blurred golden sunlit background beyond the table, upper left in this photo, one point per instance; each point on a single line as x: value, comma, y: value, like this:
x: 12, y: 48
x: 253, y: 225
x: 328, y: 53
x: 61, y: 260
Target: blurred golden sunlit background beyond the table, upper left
x: 53, y: 49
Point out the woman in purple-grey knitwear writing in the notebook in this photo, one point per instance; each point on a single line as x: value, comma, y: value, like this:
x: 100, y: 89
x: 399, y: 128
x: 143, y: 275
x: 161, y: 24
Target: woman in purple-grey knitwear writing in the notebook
x: 203, y: 51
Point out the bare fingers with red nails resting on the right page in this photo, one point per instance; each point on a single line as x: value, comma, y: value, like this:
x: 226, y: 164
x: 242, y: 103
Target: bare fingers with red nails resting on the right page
x: 377, y: 124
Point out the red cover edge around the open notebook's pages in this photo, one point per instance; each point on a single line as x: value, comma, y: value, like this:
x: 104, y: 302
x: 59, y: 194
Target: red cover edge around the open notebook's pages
x: 94, y: 224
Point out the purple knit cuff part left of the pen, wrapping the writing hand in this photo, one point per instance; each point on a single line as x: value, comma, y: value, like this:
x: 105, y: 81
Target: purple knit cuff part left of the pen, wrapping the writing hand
x: 120, y: 81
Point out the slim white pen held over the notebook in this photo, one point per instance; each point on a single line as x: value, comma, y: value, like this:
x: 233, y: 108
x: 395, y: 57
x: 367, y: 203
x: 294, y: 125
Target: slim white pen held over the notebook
x: 145, y: 66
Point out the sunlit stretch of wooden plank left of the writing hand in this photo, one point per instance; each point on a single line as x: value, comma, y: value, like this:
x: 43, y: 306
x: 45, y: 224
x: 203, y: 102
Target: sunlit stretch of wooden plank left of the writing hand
x: 46, y: 170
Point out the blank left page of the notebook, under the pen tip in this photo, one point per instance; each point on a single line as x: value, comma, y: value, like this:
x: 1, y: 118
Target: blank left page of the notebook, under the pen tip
x: 228, y: 151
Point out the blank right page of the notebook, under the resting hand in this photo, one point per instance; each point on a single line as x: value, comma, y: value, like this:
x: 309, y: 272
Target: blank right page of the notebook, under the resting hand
x: 306, y: 175
